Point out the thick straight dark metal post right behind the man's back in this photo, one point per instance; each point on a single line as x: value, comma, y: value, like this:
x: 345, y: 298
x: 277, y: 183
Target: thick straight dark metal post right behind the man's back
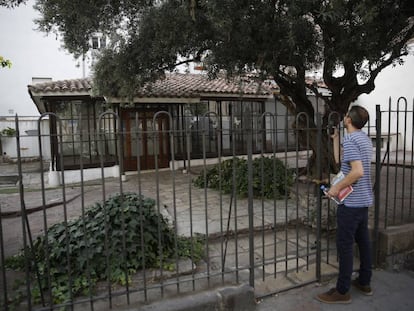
x: 377, y: 186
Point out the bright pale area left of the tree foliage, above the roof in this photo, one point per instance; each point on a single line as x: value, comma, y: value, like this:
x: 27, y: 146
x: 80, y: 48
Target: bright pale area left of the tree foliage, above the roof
x: 33, y: 54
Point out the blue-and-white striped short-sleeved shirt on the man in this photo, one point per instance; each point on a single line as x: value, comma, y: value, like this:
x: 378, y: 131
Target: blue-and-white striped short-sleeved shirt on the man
x: 358, y: 147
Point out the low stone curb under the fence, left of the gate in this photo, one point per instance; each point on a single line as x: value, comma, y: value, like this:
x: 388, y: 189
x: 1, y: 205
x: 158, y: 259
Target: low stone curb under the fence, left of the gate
x: 240, y: 298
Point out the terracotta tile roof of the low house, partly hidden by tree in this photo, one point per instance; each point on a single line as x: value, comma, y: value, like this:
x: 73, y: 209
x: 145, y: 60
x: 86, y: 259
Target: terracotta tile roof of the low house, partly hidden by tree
x: 173, y: 85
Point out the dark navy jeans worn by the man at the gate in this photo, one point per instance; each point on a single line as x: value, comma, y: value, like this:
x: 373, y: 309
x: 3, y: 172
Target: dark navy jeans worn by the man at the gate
x: 352, y: 226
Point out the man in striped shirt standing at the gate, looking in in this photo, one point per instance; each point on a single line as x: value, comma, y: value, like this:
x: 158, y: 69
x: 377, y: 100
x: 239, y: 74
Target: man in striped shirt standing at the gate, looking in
x: 352, y: 214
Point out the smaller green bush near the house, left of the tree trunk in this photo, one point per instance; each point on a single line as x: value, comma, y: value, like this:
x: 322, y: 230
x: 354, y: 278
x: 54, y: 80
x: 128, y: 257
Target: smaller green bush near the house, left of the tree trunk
x: 271, y: 179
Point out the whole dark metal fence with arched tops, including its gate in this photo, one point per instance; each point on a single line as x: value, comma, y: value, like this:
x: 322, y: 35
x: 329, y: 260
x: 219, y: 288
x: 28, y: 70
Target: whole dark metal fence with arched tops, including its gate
x: 252, y: 218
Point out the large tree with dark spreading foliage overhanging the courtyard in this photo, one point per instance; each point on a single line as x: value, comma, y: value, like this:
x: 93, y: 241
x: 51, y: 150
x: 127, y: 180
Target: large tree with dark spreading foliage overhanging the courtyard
x: 351, y: 40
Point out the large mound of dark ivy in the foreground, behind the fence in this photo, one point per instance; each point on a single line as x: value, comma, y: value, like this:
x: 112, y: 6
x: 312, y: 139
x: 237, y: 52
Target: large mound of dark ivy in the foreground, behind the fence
x: 111, y: 242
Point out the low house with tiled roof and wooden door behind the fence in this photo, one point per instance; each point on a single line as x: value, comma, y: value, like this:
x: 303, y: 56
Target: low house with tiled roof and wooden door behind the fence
x: 84, y: 127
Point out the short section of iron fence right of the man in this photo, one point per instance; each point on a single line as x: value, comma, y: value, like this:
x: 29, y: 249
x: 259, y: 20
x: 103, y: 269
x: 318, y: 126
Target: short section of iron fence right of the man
x: 395, y: 145
